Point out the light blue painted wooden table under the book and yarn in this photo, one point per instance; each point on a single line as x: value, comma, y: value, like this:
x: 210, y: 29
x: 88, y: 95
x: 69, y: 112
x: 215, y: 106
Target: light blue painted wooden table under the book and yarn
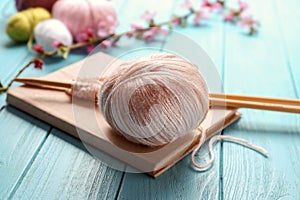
x: 37, y: 161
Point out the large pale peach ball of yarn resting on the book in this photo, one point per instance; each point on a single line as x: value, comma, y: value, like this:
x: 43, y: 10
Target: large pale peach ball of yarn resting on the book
x: 155, y: 99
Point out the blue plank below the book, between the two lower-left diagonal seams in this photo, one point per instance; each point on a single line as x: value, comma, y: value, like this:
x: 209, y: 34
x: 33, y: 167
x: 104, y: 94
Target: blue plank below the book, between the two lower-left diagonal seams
x: 64, y: 170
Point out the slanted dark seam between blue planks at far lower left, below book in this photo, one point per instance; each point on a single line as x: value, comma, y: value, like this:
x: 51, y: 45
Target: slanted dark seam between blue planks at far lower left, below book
x: 27, y: 168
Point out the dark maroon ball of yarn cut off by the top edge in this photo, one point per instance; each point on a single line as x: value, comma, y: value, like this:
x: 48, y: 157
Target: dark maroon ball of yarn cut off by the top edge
x: 25, y: 4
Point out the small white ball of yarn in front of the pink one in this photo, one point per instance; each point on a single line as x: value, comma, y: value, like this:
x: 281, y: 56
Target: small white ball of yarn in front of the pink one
x: 50, y: 31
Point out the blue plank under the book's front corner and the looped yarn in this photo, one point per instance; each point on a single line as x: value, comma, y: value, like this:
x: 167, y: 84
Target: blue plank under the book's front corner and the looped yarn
x: 182, y: 181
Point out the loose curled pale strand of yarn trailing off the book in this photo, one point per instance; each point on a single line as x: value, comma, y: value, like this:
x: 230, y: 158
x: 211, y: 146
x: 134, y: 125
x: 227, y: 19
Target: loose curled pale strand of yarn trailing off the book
x: 216, y: 138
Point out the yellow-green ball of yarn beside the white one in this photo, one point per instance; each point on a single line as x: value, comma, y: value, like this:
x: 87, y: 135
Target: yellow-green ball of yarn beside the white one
x: 20, y: 26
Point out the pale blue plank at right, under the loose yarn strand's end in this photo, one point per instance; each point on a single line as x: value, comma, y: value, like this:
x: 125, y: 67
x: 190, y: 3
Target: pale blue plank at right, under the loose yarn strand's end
x: 258, y: 66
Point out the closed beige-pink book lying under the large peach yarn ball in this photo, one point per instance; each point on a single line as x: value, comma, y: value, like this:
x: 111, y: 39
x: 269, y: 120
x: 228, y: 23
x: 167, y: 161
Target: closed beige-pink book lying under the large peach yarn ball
x: 55, y: 107
